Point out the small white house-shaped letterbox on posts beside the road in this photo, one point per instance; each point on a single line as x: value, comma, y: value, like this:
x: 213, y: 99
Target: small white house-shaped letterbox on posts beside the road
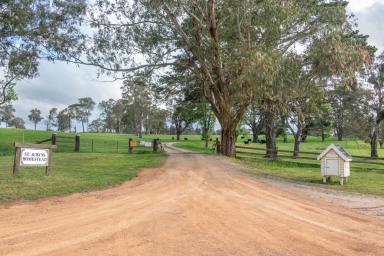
x: 335, y: 161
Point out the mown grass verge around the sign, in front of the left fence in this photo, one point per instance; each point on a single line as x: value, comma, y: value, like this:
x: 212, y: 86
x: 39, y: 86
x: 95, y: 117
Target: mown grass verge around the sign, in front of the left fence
x: 71, y: 173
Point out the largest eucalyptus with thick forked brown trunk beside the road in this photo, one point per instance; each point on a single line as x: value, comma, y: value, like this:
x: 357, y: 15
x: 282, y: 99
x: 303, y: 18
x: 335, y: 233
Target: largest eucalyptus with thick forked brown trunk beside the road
x: 216, y: 40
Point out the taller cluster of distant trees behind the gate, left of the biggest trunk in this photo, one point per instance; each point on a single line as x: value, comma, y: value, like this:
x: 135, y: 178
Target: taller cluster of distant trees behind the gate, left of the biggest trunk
x: 141, y: 110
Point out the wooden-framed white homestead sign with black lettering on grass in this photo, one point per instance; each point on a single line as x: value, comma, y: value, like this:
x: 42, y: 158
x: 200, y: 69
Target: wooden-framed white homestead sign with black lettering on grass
x: 33, y: 155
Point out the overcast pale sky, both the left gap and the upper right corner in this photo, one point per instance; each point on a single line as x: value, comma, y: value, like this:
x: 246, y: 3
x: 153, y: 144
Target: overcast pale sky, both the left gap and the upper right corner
x: 60, y: 84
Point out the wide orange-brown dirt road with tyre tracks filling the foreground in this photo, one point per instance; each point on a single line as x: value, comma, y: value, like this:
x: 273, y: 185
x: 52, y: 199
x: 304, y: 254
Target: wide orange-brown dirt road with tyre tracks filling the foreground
x: 192, y: 205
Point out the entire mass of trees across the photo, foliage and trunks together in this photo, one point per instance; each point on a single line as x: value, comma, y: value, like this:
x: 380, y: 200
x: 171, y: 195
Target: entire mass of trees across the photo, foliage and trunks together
x: 277, y: 66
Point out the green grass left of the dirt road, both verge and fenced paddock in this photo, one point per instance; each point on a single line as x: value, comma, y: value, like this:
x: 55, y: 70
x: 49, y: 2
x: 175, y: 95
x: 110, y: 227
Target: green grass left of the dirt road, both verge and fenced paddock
x: 71, y: 172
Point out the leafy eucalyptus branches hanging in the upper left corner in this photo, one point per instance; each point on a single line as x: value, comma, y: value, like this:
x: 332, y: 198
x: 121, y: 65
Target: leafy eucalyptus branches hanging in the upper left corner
x: 32, y: 30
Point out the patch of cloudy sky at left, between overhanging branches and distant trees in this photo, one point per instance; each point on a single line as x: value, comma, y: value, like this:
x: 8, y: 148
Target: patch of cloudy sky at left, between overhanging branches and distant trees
x: 59, y: 85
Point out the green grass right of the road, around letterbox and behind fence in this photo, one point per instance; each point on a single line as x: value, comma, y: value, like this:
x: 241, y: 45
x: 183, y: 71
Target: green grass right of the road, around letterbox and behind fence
x: 365, y: 178
